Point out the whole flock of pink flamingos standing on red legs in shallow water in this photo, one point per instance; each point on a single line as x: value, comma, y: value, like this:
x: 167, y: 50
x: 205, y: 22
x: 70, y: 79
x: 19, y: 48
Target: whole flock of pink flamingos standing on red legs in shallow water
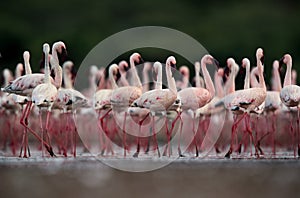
x: 45, y: 107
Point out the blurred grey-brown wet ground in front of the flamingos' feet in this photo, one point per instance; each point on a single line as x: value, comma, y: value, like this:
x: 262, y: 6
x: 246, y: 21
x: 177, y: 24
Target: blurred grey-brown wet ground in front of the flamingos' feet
x: 188, y: 177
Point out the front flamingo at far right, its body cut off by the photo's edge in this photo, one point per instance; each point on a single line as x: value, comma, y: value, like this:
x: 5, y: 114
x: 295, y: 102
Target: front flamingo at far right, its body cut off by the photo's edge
x: 290, y: 94
